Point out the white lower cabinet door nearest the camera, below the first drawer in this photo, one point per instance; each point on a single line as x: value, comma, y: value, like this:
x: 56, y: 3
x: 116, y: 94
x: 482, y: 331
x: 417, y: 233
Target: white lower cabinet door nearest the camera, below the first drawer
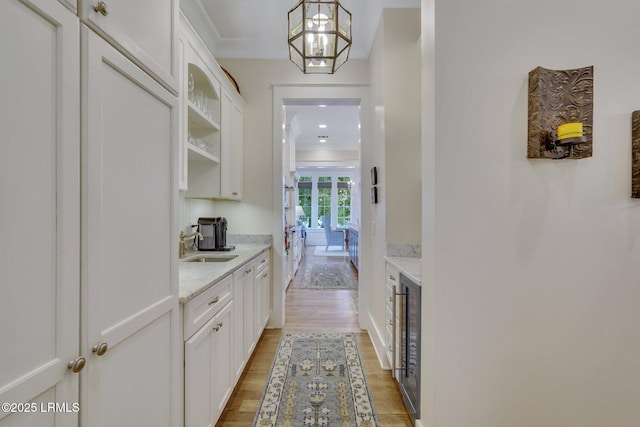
x: 208, y: 375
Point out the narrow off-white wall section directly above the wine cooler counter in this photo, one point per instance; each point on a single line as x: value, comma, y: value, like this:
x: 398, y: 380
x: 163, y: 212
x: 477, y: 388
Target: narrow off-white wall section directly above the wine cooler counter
x: 402, y: 171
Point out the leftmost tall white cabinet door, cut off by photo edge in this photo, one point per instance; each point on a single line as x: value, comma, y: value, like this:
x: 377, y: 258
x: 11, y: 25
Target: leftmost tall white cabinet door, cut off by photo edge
x: 40, y: 209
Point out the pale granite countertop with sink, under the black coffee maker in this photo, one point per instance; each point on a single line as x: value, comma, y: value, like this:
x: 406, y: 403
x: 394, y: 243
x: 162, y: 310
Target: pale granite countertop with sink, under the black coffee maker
x: 196, y: 277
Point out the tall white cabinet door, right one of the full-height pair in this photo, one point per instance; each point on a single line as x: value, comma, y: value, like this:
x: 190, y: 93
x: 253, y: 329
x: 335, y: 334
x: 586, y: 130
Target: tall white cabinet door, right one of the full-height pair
x: 129, y: 243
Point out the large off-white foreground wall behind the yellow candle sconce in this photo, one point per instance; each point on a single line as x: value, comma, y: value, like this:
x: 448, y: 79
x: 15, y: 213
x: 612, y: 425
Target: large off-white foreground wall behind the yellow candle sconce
x: 534, y: 275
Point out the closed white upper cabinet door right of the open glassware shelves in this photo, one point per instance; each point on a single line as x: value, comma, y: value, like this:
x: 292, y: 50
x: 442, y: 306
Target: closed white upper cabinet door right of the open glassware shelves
x: 231, y: 117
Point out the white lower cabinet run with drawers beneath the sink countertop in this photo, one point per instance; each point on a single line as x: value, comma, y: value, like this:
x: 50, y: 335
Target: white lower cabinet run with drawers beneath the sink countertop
x: 221, y: 328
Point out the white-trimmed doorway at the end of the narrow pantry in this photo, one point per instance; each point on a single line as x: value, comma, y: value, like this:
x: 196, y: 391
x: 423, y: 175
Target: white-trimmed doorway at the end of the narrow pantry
x: 297, y: 99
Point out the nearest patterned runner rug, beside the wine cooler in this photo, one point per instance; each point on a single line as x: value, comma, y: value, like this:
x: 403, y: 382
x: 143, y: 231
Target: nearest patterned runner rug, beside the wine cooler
x: 317, y: 379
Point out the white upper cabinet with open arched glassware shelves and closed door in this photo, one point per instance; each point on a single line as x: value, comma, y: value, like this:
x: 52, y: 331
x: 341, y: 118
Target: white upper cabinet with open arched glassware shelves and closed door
x: 211, y: 123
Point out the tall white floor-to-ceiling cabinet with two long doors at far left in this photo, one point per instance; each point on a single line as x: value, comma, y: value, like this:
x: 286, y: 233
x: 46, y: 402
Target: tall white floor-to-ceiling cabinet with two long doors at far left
x: 77, y: 211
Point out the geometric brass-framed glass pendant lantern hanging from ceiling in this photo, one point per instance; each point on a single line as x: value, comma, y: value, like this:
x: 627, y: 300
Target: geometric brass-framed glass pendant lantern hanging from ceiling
x: 319, y: 36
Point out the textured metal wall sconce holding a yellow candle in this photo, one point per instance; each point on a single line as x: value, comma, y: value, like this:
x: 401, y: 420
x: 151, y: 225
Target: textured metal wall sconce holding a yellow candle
x: 557, y: 97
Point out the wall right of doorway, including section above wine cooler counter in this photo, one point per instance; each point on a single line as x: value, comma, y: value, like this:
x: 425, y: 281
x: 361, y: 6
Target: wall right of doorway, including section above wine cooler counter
x: 395, y: 148
